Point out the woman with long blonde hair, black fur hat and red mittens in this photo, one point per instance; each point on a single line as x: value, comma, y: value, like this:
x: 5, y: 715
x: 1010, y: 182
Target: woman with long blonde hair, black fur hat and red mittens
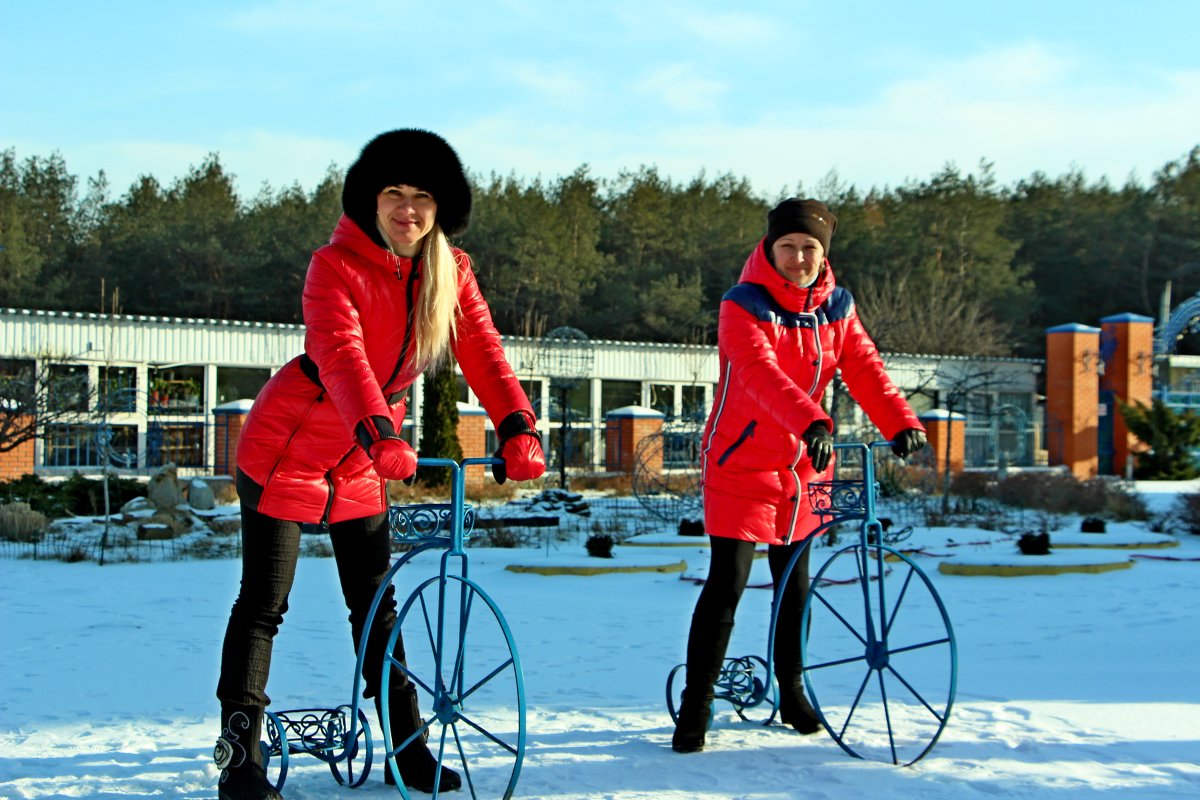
x: 385, y: 302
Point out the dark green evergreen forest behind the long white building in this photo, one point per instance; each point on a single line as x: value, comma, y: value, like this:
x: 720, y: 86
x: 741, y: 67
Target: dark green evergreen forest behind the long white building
x: 956, y: 264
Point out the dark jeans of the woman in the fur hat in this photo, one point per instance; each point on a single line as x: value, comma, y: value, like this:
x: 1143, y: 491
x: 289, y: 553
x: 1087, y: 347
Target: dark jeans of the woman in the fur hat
x: 269, y: 552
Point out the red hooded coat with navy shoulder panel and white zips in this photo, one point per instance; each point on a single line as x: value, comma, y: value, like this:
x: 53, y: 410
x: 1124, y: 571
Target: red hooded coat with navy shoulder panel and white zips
x: 779, y: 346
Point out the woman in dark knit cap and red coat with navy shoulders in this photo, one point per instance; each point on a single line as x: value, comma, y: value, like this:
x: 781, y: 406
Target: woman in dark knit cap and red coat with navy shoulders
x: 783, y: 333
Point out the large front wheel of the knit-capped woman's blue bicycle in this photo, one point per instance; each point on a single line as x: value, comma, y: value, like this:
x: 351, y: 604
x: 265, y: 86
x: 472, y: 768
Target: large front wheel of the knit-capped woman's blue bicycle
x: 880, y: 658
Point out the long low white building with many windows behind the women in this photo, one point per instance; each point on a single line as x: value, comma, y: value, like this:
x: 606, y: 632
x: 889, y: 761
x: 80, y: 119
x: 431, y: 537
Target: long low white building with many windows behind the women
x: 140, y: 392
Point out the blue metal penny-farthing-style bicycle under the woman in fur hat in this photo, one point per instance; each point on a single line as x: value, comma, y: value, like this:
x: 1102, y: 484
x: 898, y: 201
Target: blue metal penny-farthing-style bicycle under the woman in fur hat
x: 469, y: 681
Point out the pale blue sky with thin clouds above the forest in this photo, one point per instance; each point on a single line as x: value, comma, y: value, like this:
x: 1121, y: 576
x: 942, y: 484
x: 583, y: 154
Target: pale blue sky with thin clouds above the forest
x: 782, y: 93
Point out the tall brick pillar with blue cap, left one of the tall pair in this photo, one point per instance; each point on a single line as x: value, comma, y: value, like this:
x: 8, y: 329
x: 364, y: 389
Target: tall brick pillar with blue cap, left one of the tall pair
x: 1073, y: 393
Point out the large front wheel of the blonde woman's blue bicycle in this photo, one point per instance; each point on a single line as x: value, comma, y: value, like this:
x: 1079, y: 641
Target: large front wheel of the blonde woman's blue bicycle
x: 465, y: 666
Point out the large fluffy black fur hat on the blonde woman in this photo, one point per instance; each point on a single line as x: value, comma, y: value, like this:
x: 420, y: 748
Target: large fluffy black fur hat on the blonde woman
x: 415, y: 158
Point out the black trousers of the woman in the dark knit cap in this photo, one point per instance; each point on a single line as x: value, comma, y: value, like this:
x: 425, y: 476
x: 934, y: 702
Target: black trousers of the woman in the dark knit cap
x: 729, y: 572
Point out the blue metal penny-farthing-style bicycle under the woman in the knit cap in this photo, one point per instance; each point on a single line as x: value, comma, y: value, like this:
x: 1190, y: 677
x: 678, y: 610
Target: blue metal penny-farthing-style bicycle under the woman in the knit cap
x: 878, y: 651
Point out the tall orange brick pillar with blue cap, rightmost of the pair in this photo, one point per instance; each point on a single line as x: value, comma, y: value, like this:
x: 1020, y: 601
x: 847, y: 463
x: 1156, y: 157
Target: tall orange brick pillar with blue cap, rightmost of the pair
x: 1127, y: 344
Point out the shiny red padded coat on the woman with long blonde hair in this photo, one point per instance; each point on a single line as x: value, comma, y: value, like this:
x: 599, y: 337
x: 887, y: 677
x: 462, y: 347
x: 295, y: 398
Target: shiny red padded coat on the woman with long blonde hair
x: 297, y: 456
